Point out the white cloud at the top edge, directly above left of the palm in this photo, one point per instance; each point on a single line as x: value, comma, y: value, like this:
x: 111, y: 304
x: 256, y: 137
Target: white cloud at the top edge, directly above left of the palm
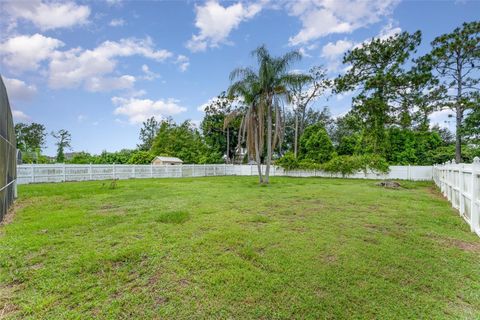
x: 216, y: 22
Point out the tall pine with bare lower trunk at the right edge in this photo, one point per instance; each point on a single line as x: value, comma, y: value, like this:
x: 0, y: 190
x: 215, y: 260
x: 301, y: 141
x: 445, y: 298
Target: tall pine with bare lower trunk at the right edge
x: 456, y: 58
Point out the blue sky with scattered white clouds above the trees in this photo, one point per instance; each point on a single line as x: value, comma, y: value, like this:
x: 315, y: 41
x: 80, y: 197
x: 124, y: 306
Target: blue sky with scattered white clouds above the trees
x: 99, y: 68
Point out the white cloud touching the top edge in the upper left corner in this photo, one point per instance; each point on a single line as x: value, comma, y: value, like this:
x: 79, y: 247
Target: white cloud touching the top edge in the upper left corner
x: 48, y: 15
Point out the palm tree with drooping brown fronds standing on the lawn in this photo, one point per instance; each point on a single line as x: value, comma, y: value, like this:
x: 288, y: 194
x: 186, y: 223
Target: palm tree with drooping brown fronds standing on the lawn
x: 270, y: 84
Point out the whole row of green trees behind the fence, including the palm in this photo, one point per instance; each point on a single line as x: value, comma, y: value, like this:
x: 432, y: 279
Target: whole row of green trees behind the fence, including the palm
x: 266, y: 116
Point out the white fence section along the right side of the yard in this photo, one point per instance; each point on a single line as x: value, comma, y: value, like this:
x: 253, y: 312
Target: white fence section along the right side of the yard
x: 460, y: 184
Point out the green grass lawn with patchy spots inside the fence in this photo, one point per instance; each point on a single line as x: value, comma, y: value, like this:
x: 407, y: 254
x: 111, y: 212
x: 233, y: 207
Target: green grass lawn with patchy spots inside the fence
x: 223, y: 247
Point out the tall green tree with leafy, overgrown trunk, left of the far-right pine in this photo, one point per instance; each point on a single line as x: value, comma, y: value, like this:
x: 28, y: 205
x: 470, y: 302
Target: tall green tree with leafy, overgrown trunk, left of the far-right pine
x: 377, y: 71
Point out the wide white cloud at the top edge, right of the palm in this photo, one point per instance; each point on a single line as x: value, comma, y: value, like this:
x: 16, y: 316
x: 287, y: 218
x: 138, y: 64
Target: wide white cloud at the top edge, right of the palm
x: 323, y: 17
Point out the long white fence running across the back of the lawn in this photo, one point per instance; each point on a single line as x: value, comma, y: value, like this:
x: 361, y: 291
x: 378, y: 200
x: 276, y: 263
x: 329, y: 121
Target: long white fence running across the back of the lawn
x: 39, y: 173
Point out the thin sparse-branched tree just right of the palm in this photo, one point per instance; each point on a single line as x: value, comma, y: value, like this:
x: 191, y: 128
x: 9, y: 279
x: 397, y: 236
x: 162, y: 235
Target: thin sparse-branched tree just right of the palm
x: 304, y: 90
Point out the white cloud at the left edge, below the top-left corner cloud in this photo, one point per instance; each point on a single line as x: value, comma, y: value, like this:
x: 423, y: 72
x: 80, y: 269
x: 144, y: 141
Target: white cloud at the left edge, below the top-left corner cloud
x: 26, y: 52
